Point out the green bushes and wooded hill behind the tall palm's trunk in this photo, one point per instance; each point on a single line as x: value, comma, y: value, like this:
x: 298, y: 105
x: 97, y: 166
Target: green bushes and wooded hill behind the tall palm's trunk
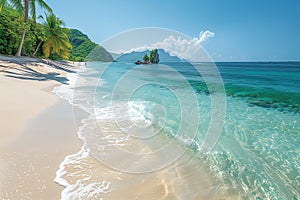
x: 11, y: 29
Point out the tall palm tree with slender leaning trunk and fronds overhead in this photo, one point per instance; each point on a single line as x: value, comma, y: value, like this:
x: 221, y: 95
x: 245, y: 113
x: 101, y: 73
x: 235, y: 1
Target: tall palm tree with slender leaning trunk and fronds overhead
x: 25, y: 6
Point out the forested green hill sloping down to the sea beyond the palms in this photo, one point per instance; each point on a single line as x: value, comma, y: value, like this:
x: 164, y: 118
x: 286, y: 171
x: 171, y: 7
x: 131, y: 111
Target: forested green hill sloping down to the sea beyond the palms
x: 86, y: 50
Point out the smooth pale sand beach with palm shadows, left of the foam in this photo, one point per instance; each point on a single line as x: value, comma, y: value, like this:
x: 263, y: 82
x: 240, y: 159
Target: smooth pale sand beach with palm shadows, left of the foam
x: 37, y: 128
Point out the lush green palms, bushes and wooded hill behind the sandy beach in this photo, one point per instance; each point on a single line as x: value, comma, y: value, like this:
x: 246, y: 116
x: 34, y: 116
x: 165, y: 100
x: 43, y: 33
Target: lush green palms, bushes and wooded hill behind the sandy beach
x: 20, y: 34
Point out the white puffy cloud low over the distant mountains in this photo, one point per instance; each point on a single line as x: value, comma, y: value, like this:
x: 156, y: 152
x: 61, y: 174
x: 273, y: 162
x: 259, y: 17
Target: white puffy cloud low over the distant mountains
x: 189, y: 49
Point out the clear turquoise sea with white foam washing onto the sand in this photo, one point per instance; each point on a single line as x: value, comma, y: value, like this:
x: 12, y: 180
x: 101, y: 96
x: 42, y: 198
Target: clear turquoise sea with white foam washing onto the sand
x: 244, y: 129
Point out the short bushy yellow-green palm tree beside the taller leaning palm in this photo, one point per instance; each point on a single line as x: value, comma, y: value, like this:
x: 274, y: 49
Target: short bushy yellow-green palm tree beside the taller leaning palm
x: 57, y: 39
